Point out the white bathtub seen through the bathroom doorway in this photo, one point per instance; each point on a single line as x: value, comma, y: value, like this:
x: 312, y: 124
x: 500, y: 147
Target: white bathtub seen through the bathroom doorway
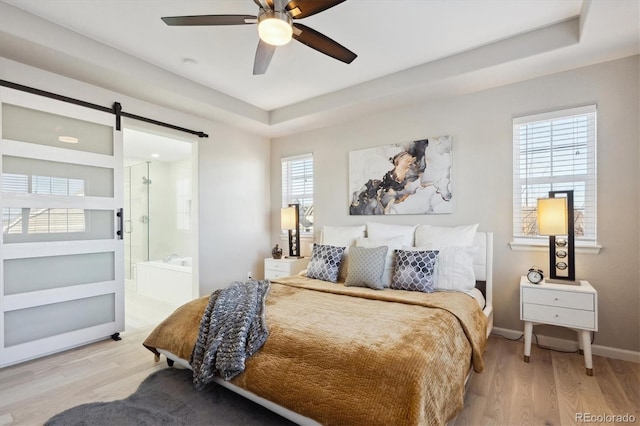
x: 169, y: 281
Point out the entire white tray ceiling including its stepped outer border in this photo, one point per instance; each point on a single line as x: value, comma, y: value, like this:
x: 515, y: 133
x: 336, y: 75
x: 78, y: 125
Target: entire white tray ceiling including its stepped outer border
x: 407, y: 49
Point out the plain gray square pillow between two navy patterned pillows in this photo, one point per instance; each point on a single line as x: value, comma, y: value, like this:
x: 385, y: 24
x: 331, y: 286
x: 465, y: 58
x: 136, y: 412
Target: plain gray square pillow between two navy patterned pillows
x: 366, y: 267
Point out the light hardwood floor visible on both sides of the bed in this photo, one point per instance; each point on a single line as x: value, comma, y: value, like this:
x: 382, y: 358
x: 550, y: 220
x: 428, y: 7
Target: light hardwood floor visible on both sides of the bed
x: 549, y: 390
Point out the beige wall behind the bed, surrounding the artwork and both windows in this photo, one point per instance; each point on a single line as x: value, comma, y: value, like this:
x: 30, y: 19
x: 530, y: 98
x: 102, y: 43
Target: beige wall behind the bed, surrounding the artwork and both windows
x: 481, y: 127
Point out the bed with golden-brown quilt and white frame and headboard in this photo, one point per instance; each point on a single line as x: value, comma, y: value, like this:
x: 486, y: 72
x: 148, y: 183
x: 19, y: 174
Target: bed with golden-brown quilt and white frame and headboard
x: 344, y: 354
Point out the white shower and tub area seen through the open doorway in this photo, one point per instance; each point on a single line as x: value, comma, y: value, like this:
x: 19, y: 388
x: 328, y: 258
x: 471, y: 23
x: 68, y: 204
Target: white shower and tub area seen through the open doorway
x: 157, y: 229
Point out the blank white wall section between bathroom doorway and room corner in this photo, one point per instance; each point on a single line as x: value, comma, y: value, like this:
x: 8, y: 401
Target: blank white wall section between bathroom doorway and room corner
x: 234, y: 202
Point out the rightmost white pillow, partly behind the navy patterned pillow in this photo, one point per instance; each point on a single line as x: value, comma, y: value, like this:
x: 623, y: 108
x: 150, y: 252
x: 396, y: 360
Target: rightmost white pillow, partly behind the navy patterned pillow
x: 454, y: 268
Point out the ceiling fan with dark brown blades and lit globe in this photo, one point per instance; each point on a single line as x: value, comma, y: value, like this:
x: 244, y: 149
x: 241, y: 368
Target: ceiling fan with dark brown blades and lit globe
x: 276, y: 28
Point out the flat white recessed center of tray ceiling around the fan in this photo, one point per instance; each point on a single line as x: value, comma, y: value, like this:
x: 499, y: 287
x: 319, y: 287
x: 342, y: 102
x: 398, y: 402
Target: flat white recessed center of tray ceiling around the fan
x: 388, y: 36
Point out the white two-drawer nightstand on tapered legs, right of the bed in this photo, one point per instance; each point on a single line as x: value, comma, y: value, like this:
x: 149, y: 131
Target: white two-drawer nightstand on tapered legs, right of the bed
x: 564, y: 305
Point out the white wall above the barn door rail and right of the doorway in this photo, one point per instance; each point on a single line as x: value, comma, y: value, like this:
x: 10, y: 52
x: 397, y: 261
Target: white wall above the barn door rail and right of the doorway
x: 233, y: 170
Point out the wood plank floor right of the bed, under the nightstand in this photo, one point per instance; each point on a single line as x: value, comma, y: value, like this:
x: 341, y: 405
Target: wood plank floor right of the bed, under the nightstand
x: 552, y: 389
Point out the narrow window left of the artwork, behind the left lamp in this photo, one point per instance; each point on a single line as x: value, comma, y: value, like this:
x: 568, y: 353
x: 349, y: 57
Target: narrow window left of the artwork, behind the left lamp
x: 297, y: 187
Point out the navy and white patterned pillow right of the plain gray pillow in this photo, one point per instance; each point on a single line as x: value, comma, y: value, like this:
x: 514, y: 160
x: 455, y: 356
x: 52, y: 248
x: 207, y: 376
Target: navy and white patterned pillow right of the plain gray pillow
x: 414, y: 270
